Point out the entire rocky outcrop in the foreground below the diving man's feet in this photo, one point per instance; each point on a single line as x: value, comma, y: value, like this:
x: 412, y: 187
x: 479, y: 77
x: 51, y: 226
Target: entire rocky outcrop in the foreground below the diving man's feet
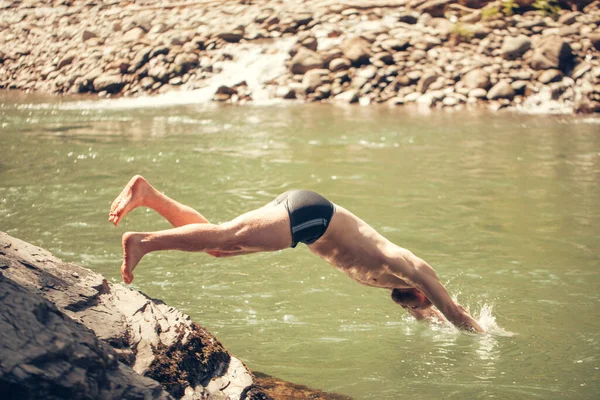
x: 66, y: 333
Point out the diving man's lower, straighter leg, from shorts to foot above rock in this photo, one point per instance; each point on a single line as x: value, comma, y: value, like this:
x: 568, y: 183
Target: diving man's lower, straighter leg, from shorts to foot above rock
x: 265, y: 229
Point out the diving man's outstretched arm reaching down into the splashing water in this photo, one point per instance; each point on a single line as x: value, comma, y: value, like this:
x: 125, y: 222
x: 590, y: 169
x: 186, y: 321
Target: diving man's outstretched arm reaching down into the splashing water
x: 419, y: 274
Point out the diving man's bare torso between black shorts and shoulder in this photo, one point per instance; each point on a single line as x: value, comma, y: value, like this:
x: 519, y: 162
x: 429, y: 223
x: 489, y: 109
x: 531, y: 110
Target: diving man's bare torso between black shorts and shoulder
x: 358, y: 250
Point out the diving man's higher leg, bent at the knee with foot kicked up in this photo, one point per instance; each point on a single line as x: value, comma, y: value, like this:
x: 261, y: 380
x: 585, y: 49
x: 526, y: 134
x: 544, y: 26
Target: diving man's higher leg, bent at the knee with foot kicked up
x: 139, y: 193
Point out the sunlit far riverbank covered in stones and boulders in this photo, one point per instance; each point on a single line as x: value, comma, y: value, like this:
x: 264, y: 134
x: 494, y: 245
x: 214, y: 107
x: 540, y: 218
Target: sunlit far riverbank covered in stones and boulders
x: 537, y: 56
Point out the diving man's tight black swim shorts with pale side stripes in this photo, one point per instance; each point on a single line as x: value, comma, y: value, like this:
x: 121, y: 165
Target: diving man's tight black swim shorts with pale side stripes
x: 310, y: 214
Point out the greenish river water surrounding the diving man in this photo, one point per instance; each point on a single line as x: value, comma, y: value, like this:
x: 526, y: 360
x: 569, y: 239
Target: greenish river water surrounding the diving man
x: 504, y: 206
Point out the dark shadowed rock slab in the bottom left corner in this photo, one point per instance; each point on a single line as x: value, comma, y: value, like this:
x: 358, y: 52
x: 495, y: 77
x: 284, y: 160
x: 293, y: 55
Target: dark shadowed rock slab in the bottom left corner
x: 47, y: 355
